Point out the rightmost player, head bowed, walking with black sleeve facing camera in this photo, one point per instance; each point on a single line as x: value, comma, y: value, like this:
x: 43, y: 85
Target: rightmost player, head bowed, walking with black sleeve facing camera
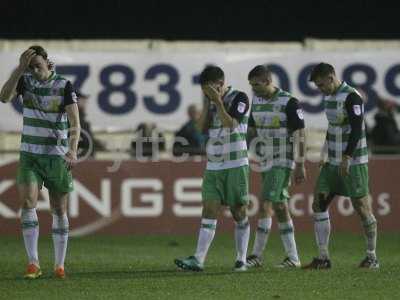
x: 346, y: 170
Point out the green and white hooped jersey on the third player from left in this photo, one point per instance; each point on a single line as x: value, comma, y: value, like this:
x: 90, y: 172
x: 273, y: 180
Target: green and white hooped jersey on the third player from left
x: 273, y: 135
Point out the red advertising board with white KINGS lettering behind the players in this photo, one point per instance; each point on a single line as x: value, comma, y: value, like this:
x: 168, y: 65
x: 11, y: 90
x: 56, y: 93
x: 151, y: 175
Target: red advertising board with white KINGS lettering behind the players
x: 165, y: 198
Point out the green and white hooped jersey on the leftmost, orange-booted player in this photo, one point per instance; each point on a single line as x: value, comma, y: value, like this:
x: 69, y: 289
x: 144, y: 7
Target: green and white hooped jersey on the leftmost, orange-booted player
x: 45, y: 123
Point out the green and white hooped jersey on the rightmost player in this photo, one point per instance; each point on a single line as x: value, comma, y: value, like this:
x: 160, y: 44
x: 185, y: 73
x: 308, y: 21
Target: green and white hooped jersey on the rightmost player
x: 339, y: 128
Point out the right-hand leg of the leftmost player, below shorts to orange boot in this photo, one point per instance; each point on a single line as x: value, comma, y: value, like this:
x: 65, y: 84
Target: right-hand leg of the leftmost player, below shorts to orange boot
x: 60, y: 229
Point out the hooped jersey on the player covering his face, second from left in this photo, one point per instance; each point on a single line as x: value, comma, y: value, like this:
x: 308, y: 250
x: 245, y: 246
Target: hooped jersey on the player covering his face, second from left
x: 226, y: 147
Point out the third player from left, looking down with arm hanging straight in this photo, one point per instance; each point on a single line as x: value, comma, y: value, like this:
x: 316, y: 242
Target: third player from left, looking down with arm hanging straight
x: 279, y: 122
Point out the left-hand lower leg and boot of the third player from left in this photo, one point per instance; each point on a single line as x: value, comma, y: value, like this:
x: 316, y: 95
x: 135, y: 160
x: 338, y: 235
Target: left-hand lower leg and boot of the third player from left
x: 264, y: 224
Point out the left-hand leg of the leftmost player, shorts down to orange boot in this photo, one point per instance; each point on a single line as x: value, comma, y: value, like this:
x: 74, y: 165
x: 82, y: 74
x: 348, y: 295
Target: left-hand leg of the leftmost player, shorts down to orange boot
x: 29, y: 183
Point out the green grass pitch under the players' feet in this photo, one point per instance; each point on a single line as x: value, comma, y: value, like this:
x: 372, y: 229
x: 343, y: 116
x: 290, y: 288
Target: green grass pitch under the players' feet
x: 141, y: 267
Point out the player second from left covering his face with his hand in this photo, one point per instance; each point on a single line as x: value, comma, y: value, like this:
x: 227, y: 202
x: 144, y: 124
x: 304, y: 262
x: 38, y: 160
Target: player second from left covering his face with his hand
x: 226, y: 178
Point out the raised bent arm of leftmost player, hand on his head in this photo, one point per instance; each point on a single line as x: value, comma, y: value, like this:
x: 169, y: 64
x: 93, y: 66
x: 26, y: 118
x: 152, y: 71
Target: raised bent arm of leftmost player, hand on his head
x: 9, y: 89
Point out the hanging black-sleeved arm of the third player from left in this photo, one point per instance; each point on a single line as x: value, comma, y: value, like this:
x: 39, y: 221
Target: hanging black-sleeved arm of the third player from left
x: 295, y: 123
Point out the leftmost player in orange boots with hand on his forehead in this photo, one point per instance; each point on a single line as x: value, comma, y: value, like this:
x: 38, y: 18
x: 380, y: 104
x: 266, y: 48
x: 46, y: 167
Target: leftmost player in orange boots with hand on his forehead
x: 46, y: 154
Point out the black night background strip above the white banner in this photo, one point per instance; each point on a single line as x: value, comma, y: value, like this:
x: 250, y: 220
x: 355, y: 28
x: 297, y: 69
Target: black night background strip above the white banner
x: 200, y: 20
